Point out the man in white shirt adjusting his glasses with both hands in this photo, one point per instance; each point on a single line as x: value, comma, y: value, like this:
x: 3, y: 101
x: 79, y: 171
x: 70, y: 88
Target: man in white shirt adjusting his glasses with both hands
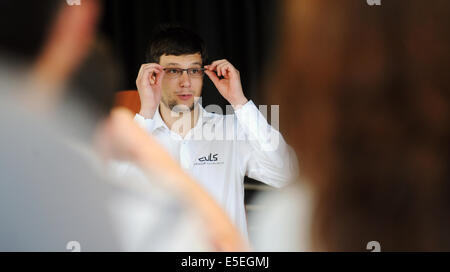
x: 217, y: 150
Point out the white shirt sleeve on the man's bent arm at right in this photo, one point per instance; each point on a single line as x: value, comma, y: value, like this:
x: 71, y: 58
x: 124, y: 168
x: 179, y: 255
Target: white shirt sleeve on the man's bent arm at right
x: 265, y: 155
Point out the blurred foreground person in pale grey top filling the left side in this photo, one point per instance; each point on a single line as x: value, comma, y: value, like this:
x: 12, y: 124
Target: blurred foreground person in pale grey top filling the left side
x: 55, y: 194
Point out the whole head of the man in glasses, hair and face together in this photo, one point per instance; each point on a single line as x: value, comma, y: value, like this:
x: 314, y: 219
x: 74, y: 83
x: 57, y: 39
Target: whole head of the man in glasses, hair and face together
x: 177, y: 47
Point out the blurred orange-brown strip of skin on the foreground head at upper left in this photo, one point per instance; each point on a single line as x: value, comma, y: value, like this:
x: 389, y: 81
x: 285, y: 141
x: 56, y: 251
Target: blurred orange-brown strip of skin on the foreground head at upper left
x: 68, y: 42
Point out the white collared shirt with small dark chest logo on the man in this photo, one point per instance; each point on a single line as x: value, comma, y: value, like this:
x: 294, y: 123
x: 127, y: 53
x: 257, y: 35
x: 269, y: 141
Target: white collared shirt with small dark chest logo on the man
x: 221, y: 149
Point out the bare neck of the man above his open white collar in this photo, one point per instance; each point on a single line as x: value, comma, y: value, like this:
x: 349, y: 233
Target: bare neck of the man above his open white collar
x: 179, y: 122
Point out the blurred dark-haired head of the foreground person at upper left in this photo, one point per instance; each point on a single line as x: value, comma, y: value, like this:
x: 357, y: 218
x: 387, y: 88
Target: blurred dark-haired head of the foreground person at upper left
x: 54, y: 42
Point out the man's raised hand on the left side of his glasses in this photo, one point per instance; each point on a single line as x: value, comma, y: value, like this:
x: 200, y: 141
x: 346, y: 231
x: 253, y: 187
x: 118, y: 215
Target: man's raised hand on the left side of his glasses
x: 148, y: 83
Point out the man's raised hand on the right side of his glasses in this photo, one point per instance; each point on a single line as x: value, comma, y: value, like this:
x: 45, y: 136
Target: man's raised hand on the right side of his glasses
x: 230, y: 85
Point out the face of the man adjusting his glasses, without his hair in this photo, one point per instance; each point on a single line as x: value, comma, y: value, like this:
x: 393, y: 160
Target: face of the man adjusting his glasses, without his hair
x: 183, y: 89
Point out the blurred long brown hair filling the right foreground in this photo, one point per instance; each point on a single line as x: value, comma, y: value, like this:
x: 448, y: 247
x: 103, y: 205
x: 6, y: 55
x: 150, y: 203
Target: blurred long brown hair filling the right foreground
x: 364, y: 100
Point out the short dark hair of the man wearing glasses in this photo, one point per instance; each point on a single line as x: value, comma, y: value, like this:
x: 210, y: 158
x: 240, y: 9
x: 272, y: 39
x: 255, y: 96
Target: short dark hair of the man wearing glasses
x: 174, y: 40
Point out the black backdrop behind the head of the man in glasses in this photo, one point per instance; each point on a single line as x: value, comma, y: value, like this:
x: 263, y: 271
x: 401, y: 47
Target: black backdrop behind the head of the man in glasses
x: 243, y: 31
